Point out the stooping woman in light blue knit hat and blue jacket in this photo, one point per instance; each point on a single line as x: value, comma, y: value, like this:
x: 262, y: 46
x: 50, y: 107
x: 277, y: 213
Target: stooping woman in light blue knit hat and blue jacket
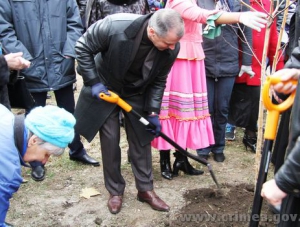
x: 45, y: 131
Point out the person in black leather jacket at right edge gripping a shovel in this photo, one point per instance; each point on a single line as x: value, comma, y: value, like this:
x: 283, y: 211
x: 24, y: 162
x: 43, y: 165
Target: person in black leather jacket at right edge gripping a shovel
x: 284, y: 189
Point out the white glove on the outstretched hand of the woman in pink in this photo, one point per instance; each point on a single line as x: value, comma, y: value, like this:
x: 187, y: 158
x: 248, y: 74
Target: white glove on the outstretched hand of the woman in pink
x: 254, y: 20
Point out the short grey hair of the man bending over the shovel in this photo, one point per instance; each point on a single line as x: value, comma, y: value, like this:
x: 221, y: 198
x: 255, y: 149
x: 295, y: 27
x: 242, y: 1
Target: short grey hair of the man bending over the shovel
x: 165, y: 20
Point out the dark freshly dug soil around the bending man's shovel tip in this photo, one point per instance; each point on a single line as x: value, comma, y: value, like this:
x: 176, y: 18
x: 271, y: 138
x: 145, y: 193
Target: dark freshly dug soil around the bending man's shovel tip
x: 231, y: 205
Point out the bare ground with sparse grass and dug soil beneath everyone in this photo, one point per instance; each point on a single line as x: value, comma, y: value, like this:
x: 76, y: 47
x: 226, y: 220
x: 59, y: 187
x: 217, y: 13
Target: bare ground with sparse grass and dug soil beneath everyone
x: 194, y: 200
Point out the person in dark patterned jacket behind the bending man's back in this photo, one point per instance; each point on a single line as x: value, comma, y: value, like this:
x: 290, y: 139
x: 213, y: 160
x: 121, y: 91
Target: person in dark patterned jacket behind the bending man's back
x: 99, y: 9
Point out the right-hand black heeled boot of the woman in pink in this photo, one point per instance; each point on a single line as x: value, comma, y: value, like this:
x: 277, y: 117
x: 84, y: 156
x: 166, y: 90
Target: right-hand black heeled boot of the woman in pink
x: 182, y: 163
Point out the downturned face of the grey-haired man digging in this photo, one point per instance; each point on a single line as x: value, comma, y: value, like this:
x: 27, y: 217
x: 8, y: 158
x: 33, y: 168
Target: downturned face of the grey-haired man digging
x: 163, y: 43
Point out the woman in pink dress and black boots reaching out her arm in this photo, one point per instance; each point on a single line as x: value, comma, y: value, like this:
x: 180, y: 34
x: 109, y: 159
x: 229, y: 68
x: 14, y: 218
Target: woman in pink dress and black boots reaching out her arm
x: 184, y: 115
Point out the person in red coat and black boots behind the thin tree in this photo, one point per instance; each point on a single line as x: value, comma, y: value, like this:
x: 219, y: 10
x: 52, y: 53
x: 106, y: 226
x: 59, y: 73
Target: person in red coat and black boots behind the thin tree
x: 246, y: 90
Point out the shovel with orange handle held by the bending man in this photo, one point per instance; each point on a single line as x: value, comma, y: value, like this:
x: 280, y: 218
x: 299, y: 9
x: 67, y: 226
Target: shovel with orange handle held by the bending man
x: 114, y: 98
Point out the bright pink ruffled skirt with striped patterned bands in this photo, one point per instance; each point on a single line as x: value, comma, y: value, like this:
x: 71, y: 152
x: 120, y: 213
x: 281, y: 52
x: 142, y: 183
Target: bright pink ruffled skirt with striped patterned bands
x: 184, y: 114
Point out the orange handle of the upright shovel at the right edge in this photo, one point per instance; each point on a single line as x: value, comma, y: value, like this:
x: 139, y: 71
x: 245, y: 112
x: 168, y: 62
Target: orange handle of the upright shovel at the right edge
x: 274, y: 109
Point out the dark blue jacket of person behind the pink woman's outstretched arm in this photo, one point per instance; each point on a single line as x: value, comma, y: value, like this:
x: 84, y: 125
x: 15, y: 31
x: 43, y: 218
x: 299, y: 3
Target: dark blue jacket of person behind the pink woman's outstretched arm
x: 222, y: 53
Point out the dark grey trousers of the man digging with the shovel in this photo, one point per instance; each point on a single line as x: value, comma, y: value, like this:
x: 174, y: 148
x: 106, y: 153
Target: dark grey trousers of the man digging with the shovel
x: 141, y: 157
